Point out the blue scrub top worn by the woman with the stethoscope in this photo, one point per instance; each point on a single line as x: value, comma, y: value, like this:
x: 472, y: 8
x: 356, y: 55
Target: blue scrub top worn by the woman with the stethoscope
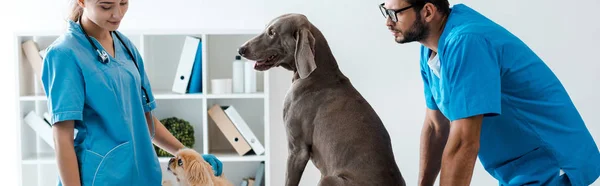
x: 113, y: 145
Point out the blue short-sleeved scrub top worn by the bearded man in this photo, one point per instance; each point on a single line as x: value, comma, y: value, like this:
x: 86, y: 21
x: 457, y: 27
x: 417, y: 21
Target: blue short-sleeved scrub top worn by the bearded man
x: 532, y: 129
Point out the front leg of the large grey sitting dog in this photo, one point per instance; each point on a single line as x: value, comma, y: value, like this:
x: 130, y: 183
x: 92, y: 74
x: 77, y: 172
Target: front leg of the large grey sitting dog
x: 296, y: 163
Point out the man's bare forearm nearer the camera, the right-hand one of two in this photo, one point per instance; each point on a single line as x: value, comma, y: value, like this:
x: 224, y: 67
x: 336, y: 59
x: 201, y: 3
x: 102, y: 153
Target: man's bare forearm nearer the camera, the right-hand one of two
x: 461, y: 151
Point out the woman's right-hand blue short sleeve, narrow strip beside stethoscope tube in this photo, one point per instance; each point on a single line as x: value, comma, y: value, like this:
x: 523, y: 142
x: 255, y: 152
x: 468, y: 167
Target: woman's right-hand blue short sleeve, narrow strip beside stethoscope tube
x: 149, y: 104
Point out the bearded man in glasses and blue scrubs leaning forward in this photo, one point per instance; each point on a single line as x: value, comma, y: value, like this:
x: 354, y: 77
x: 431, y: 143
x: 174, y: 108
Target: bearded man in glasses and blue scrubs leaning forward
x: 488, y: 94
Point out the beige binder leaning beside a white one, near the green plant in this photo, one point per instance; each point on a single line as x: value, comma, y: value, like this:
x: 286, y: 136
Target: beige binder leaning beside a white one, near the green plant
x: 234, y: 137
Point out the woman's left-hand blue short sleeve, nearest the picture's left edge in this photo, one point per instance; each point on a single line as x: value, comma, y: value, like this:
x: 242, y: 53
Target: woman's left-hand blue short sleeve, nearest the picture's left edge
x: 63, y: 84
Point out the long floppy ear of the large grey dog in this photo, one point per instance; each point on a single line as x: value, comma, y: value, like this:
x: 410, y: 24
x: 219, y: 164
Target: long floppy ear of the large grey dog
x: 305, y: 53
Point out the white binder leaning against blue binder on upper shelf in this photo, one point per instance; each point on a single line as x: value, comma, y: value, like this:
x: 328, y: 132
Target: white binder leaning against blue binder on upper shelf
x: 186, y: 62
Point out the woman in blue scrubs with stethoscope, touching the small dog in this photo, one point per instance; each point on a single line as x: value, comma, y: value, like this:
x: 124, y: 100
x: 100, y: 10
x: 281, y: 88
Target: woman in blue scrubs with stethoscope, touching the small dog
x: 95, y: 82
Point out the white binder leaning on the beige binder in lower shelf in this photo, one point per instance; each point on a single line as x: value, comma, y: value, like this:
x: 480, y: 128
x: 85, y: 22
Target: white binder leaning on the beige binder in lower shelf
x: 244, y: 129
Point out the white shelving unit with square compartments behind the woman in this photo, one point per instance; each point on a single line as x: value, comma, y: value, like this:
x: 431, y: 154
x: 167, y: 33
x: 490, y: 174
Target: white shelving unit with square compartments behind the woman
x: 161, y: 51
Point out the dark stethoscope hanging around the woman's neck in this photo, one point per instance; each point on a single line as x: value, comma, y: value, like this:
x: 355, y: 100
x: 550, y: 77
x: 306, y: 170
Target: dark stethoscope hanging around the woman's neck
x: 104, y: 59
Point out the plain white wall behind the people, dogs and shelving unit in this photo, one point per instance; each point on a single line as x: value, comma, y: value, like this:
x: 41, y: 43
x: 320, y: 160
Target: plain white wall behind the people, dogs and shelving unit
x: 389, y: 78
